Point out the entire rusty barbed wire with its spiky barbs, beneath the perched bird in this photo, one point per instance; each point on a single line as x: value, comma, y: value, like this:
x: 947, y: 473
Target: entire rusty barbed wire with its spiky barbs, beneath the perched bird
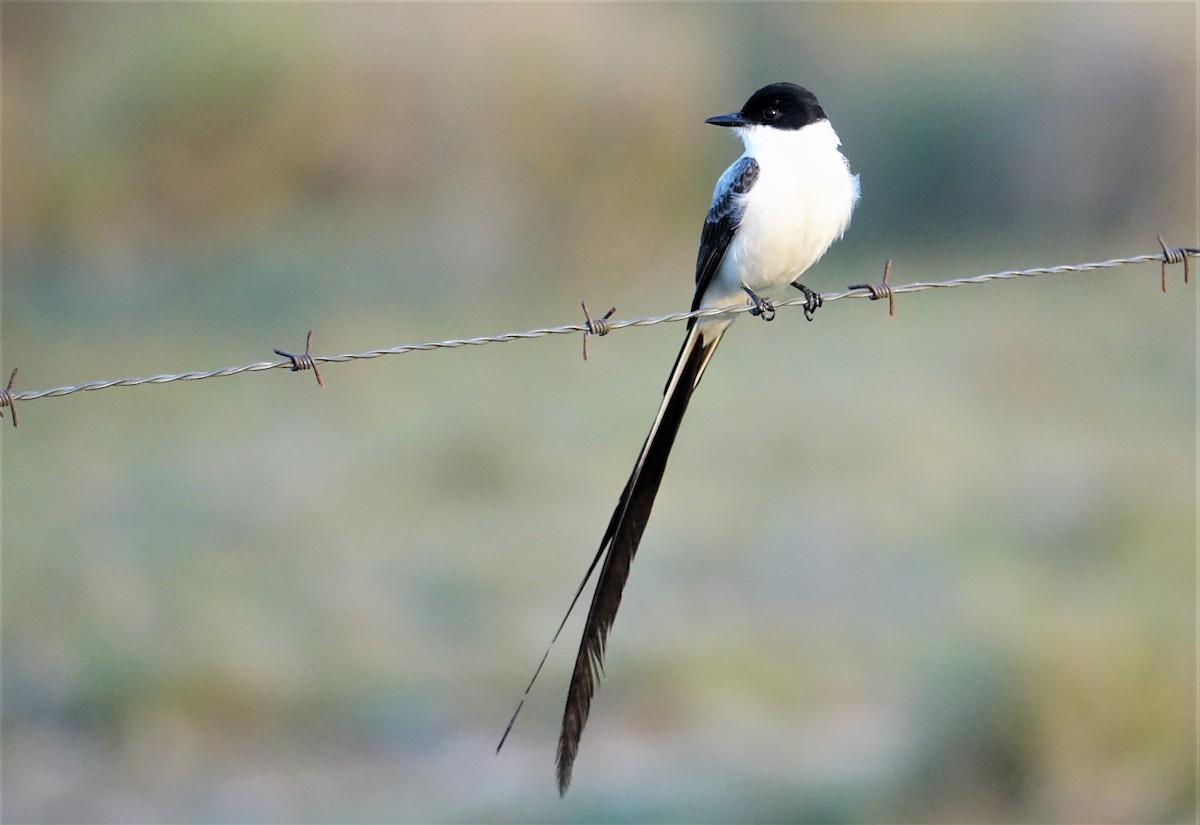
x: 604, y: 326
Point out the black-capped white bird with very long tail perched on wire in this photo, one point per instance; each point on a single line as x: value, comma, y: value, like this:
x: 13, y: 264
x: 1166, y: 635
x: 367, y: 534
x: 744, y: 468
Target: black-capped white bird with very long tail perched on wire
x: 775, y: 214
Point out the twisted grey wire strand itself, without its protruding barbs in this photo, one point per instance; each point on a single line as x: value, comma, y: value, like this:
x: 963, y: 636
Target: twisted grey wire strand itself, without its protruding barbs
x: 1168, y: 256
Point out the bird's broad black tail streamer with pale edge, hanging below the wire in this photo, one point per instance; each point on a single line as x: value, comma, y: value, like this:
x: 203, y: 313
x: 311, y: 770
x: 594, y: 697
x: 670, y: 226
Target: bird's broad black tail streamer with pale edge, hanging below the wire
x: 625, y: 534
